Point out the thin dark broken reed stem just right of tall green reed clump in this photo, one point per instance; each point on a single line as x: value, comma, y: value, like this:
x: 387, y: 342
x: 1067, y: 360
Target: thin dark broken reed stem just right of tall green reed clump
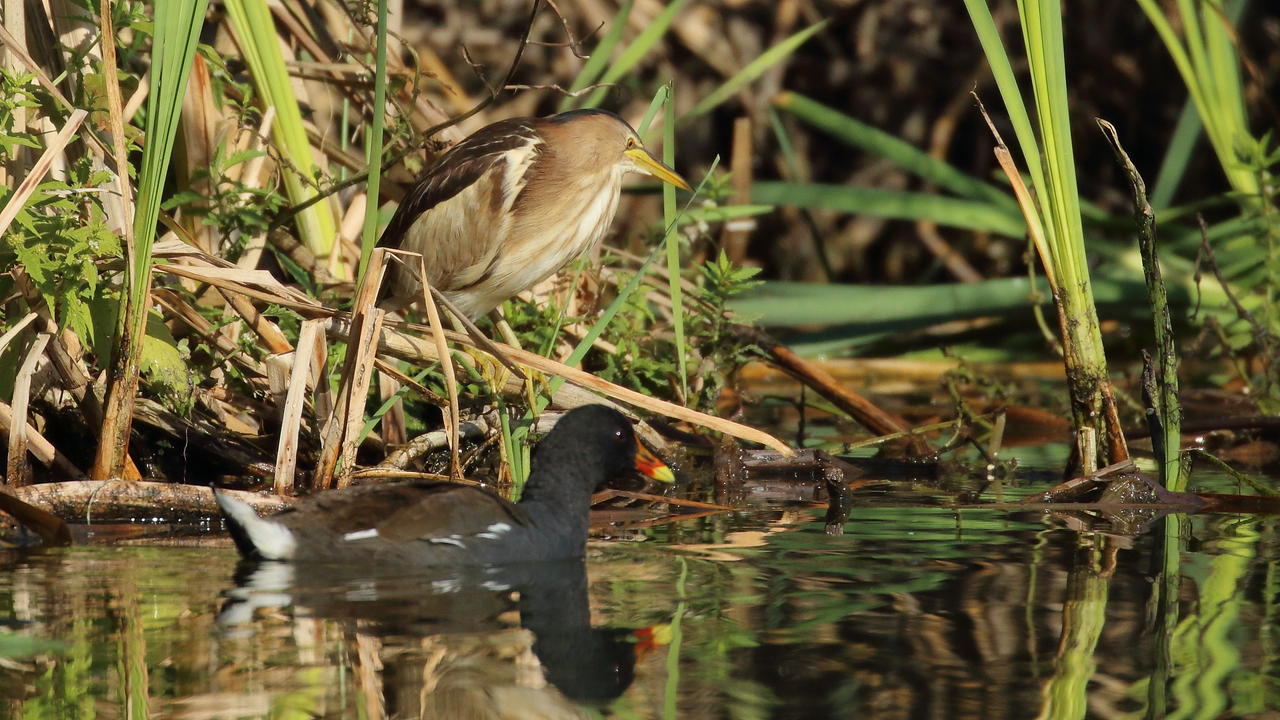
x: 1164, y: 412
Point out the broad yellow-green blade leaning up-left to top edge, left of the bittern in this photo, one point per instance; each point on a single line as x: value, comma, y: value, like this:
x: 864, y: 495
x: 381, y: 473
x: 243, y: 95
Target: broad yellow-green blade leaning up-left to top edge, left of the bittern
x: 255, y: 31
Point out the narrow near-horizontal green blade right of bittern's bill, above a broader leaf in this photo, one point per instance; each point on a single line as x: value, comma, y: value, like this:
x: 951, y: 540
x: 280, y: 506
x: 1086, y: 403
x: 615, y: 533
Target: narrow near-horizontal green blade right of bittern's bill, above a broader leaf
x: 953, y: 212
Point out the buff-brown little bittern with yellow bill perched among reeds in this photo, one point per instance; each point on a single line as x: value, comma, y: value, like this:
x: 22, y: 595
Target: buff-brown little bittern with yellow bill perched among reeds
x: 513, y: 204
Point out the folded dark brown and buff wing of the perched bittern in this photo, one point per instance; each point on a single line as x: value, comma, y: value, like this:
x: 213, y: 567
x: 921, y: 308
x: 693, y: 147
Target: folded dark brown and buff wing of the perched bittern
x: 455, y: 213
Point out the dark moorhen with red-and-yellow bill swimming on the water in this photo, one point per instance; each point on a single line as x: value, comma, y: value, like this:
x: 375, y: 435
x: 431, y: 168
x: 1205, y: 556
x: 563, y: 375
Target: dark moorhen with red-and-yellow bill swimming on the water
x: 451, y: 525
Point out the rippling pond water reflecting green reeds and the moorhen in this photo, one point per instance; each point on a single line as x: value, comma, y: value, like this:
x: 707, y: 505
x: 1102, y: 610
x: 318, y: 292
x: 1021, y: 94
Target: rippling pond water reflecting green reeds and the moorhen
x: 920, y: 610
